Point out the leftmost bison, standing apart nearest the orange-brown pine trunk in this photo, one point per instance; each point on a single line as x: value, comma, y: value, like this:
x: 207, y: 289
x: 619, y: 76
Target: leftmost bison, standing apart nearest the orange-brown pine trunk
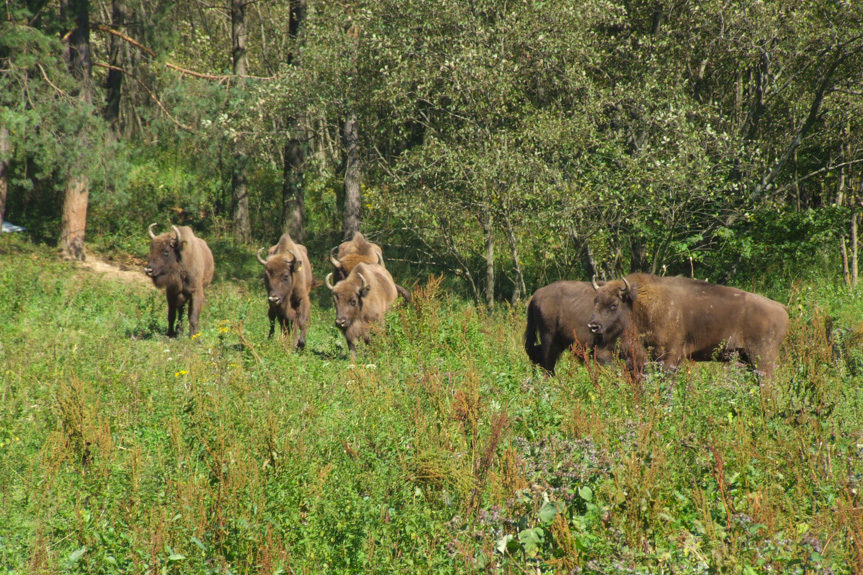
x: 182, y: 265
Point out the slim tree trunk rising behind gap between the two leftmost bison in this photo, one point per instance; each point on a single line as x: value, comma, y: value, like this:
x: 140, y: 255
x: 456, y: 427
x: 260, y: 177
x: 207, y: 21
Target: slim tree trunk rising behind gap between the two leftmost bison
x: 239, y: 184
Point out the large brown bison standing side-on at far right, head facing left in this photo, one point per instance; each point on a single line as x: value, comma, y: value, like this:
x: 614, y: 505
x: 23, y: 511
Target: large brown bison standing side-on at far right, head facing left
x: 673, y: 319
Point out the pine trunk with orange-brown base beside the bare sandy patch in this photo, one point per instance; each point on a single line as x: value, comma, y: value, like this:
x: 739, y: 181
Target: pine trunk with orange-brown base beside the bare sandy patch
x: 74, y: 220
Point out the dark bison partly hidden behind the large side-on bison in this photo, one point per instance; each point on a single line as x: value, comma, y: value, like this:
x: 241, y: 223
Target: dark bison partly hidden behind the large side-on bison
x: 559, y: 313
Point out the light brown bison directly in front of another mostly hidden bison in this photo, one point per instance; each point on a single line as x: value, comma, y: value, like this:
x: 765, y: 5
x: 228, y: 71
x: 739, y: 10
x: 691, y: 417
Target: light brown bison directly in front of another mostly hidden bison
x: 361, y: 299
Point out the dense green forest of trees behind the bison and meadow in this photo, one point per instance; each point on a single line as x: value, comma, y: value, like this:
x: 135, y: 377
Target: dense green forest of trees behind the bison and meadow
x: 506, y: 143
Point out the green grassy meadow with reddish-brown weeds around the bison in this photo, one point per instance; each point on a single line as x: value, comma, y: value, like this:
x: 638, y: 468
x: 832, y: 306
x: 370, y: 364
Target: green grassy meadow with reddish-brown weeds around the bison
x: 439, y: 449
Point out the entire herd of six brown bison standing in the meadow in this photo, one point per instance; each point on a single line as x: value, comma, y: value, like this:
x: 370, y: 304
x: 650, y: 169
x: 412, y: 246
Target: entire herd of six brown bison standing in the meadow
x: 637, y: 318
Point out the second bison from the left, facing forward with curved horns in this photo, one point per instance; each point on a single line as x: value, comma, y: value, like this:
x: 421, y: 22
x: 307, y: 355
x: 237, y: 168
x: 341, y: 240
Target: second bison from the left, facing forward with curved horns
x: 288, y: 279
